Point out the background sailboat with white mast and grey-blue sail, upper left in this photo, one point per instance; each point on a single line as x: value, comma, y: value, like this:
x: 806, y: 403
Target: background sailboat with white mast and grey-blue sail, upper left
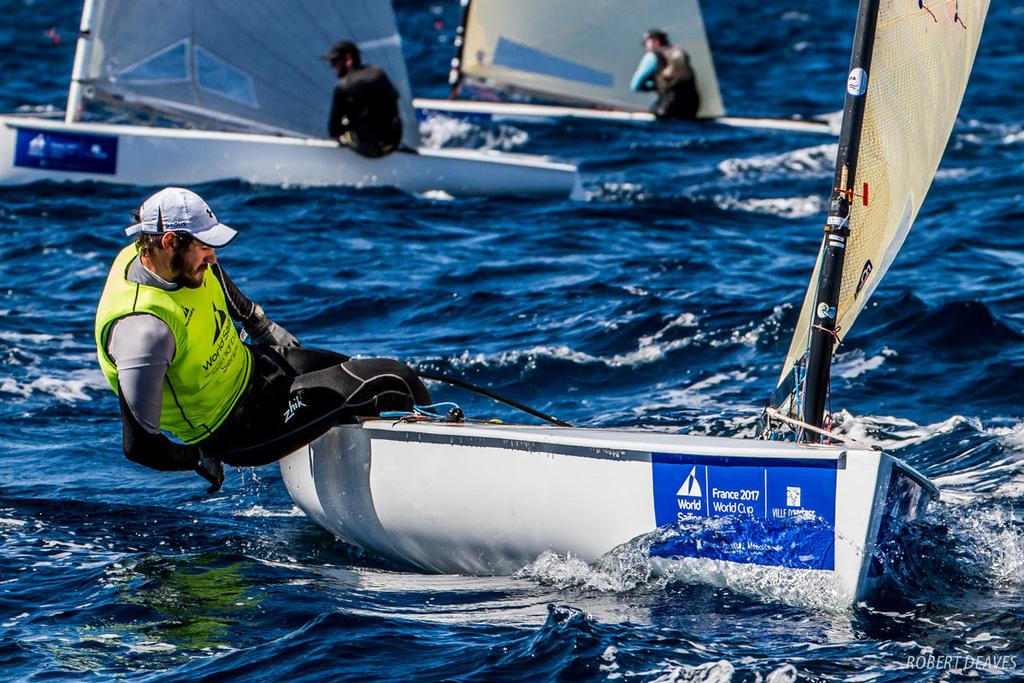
x: 239, y: 91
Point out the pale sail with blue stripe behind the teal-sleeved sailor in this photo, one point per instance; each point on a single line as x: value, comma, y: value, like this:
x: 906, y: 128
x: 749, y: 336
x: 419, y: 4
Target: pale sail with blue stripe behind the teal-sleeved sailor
x: 582, y: 52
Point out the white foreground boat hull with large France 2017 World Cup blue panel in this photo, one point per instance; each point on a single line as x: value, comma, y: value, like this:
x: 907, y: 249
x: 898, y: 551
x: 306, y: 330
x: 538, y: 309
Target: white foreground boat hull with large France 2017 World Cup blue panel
x: 490, y: 499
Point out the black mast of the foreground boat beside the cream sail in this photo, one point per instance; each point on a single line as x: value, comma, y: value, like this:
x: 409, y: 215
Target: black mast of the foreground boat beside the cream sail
x: 824, y: 334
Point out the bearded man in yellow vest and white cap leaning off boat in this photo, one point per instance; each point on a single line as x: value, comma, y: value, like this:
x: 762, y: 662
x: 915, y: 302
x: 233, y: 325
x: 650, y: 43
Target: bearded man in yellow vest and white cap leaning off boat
x: 169, y: 349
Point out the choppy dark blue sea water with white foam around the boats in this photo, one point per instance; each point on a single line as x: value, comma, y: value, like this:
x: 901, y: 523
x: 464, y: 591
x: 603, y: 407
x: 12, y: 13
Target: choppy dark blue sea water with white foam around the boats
x: 664, y: 300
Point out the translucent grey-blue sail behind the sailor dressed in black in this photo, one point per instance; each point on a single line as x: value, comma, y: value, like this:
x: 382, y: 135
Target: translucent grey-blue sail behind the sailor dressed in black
x: 249, y: 65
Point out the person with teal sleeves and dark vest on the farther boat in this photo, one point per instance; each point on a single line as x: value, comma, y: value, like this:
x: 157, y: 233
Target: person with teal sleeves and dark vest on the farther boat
x: 666, y: 69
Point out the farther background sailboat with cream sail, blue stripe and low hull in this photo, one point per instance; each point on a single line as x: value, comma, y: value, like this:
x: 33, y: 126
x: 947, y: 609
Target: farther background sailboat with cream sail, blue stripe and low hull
x: 580, y: 55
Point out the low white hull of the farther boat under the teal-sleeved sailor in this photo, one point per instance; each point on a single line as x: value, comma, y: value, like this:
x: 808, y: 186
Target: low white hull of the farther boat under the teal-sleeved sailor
x: 517, y: 112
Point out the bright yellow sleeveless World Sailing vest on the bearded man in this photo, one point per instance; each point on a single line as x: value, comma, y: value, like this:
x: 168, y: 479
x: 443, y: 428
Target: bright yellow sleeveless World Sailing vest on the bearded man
x: 211, y: 366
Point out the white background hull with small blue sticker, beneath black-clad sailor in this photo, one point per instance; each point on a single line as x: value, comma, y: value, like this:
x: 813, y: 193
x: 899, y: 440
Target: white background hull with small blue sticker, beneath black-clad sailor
x: 33, y: 150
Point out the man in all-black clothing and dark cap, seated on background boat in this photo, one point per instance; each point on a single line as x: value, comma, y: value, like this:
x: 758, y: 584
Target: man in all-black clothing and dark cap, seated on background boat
x: 365, y: 110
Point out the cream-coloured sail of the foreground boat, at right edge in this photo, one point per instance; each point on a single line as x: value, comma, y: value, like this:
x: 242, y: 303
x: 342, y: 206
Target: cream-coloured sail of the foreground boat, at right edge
x: 922, y: 58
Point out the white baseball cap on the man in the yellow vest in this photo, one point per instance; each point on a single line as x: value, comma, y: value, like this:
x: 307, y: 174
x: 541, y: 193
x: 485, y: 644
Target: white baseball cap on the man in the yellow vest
x: 180, y: 210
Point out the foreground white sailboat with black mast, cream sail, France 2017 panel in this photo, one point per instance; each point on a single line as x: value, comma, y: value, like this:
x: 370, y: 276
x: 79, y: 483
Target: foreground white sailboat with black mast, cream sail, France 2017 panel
x: 478, y: 498
